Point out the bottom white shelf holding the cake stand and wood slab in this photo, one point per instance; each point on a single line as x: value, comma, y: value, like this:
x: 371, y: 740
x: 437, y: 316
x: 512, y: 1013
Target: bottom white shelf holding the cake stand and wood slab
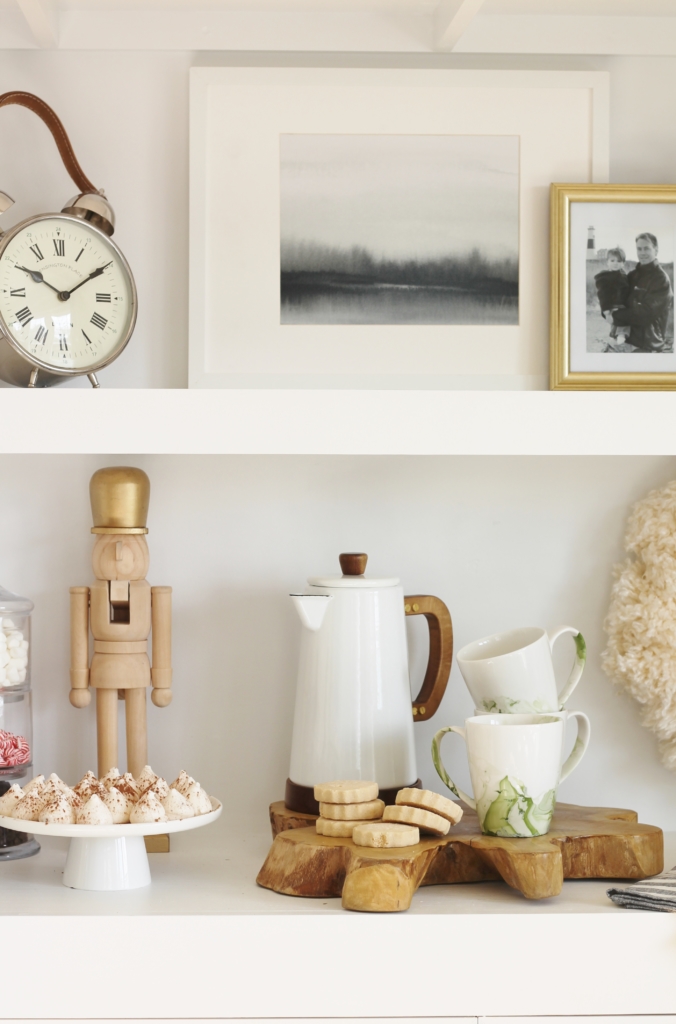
x: 205, y: 942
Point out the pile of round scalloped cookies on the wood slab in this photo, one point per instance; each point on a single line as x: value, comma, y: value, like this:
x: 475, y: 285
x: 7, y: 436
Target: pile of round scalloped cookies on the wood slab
x: 351, y: 809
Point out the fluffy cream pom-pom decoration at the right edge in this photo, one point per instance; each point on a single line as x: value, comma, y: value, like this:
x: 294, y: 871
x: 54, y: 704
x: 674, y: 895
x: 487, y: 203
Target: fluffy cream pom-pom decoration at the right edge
x: 642, y: 621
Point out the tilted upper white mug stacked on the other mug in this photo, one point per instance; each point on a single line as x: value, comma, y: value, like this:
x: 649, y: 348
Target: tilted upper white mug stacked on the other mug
x: 513, y: 673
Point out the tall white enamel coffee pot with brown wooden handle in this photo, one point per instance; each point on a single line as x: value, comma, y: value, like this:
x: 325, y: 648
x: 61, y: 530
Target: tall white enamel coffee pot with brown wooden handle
x: 354, y: 711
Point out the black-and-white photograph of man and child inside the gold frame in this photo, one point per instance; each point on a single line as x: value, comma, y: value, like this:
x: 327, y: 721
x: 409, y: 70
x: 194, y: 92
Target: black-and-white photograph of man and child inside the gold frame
x: 630, y: 281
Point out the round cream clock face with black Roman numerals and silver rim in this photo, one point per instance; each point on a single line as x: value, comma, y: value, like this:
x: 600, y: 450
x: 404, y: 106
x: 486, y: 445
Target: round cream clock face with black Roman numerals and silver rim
x: 67, y: 295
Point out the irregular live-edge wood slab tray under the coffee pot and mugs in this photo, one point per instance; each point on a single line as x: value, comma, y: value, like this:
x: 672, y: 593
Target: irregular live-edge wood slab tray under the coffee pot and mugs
x: 583, y: 843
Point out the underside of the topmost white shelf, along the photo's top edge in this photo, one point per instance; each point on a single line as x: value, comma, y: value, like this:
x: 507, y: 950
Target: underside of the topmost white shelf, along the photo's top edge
x: 596, y: 27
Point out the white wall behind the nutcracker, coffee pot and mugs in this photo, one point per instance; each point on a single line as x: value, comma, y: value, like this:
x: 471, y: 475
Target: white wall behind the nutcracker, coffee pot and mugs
x: 503, y: 541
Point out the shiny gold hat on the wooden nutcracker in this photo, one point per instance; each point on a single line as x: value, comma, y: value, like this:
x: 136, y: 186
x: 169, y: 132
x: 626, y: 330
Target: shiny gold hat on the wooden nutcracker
x: 120, y: 496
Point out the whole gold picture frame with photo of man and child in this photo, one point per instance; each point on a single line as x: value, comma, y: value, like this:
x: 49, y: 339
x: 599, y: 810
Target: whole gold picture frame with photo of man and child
x: 582, y: 357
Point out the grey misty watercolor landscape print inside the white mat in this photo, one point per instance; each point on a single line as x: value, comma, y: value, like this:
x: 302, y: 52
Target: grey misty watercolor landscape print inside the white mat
x: 400, y: 230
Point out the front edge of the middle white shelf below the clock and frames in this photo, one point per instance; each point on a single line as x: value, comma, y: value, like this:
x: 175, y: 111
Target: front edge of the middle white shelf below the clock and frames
x: 285, y: 422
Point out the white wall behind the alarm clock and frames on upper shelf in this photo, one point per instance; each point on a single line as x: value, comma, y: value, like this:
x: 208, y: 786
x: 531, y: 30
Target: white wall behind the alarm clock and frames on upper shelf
x: 128, y: 116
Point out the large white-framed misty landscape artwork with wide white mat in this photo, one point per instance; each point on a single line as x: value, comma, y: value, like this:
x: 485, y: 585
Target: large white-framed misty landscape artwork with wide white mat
x: 369, y: 228
